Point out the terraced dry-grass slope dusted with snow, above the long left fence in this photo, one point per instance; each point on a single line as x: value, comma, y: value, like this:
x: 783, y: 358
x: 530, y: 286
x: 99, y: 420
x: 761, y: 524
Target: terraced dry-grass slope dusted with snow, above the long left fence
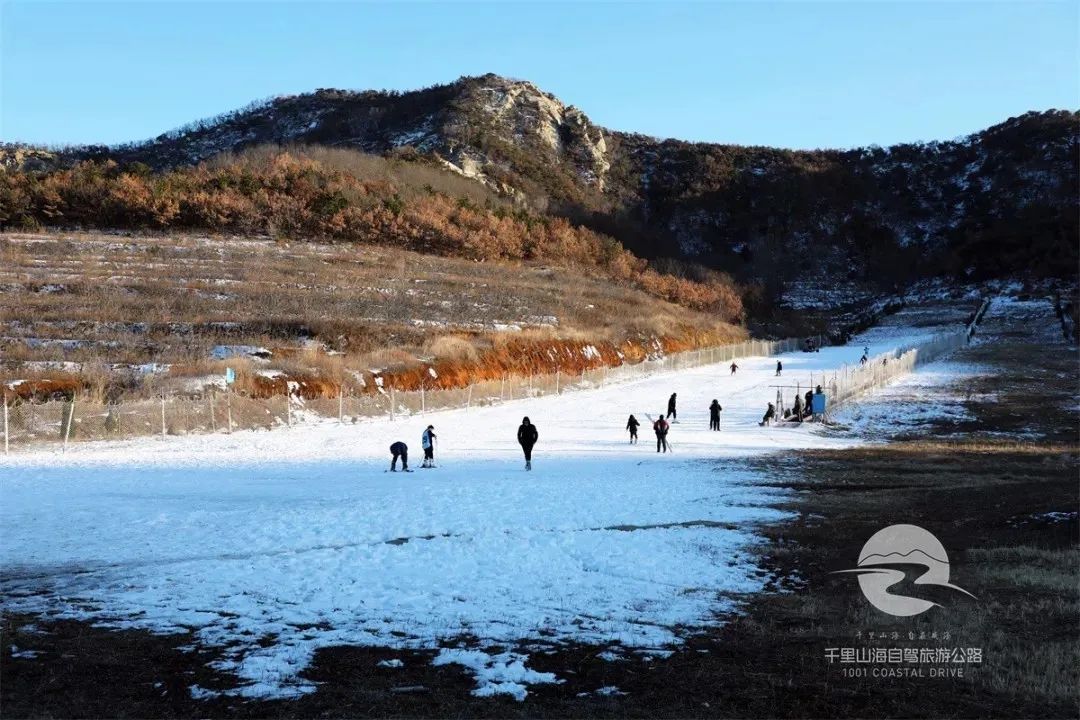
x: 126, y: 315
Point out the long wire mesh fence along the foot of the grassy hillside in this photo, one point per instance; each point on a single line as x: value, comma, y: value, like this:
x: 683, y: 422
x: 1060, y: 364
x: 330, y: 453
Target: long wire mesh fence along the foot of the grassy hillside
x: 215, y: 411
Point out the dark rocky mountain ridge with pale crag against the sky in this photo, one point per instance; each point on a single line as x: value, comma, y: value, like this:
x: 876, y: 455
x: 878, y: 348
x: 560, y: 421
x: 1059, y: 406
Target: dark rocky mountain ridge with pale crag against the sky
x: 1001, y: 202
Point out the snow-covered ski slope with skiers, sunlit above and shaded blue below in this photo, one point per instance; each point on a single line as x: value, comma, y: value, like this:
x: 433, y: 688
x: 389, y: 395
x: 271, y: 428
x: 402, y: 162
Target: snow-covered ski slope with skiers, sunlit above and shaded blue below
x: 301, y: 536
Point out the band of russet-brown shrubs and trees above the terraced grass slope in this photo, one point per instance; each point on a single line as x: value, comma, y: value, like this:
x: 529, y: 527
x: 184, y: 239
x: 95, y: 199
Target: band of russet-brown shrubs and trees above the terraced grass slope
x: 340, y: 196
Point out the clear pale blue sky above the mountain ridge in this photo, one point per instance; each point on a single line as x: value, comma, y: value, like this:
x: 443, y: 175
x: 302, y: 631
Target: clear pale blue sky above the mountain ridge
x: 799, y: 75
